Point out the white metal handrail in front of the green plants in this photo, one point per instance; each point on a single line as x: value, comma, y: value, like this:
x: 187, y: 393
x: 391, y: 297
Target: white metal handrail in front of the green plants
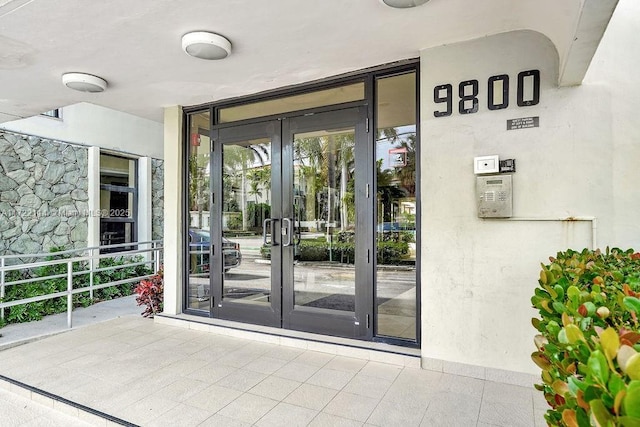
x: 155, y: 250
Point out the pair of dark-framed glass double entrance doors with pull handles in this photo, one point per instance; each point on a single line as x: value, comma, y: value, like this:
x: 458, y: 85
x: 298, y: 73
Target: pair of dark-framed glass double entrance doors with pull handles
x: 291, y: 227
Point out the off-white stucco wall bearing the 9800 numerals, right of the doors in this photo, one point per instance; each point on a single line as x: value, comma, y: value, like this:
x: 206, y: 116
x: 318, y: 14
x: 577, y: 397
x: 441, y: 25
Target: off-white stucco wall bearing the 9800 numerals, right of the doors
x: 478, y: 275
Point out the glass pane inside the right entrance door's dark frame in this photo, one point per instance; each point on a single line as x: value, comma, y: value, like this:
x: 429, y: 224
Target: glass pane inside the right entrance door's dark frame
x: 324, y: 220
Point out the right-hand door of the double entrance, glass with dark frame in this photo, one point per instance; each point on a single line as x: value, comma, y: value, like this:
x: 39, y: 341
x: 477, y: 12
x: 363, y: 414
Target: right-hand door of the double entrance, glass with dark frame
x: 322, y: 288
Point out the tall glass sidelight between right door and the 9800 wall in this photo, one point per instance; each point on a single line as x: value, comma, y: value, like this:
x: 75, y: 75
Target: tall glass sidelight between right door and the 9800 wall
x: 396, y: 206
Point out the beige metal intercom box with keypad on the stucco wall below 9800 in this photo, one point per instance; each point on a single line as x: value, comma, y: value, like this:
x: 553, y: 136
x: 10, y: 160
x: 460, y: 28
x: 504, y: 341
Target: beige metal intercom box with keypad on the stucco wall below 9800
x: 494, y: 196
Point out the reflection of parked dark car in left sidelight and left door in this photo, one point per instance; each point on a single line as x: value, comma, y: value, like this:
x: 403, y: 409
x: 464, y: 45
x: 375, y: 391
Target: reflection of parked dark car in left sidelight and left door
x: 199, y: 249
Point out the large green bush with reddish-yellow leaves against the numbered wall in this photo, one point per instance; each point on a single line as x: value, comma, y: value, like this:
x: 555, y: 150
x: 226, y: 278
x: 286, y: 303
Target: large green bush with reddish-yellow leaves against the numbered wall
x: 588, y: 346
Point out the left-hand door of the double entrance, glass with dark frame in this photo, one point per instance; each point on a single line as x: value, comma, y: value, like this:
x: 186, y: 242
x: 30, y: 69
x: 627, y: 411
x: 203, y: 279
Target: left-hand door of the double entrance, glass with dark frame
x: 245, y: 286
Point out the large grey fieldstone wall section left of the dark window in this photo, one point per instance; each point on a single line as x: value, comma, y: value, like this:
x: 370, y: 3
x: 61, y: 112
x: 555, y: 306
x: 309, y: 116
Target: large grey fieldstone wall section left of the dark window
x: 43, y: 194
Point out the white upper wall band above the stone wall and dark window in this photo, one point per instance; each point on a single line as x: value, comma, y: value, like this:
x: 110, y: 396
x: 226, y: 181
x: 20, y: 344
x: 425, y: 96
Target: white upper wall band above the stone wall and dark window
x: 93, y: 125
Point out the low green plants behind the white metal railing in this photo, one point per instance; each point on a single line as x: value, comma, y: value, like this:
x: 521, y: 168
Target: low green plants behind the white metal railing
x: 55, y: 280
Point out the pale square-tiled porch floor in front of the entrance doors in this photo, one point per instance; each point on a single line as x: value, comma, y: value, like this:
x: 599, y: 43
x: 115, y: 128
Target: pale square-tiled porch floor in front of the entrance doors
x: 159, y: 375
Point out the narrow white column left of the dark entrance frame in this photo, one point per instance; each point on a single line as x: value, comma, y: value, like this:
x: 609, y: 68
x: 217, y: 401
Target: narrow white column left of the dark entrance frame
x: 173, y: 176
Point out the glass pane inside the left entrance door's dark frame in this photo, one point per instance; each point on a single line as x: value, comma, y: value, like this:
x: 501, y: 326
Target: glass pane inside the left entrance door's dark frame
x: 246, y: 210
